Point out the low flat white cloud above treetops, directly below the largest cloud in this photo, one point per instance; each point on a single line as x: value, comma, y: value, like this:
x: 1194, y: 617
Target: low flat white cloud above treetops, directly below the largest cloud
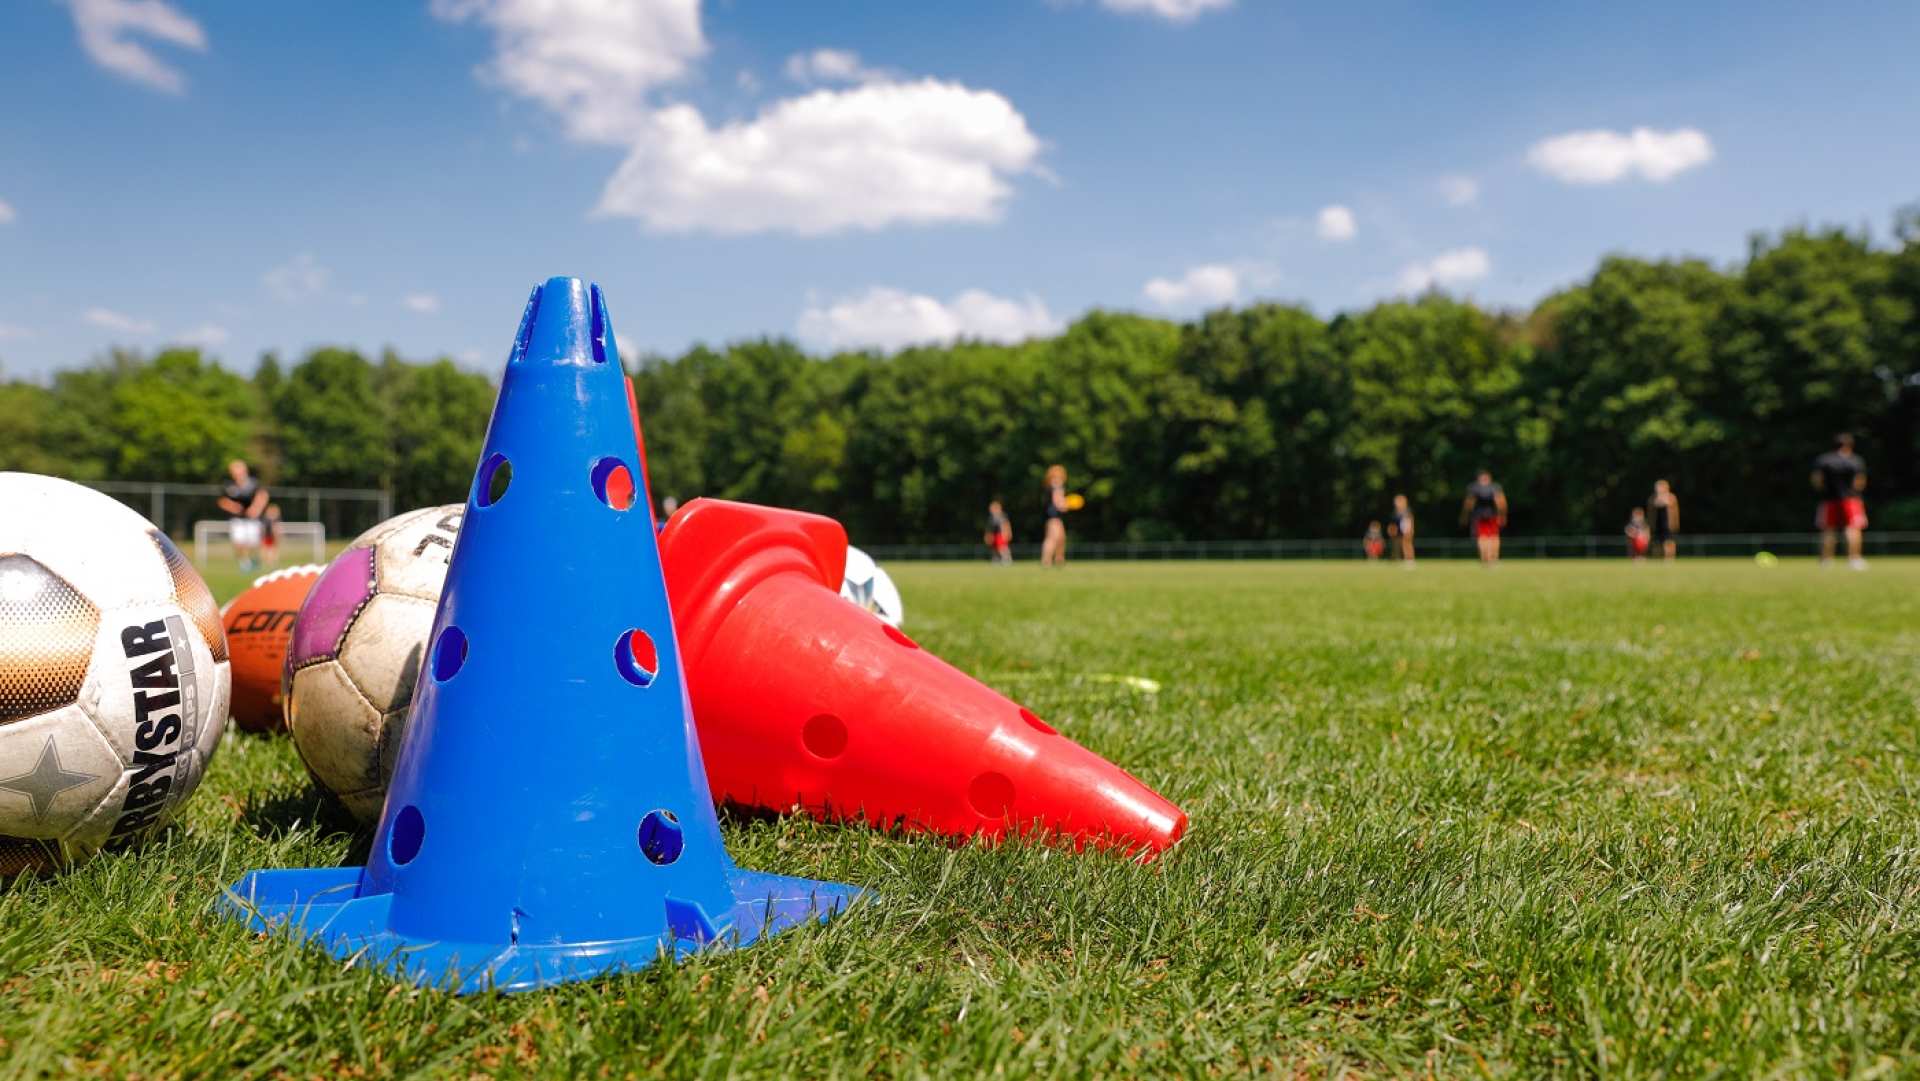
x: 890, y: 320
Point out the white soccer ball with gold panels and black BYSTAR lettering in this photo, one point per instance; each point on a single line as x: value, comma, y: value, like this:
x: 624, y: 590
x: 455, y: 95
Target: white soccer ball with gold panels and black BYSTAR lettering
x: 114, y: 675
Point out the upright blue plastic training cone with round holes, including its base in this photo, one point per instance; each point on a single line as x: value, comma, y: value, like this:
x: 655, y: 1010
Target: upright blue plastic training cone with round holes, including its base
x: 548, y: 819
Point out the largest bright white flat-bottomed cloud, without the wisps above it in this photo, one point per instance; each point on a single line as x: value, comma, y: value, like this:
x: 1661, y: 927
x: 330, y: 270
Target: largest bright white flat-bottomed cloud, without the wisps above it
x: 863, y: 158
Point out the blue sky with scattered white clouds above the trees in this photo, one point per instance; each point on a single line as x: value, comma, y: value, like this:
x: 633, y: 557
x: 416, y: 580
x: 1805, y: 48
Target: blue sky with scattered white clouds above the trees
x: 281, y: 176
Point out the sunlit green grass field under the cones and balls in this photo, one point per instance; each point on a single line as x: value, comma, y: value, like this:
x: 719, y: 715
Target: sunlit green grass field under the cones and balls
x: 1562, y: 819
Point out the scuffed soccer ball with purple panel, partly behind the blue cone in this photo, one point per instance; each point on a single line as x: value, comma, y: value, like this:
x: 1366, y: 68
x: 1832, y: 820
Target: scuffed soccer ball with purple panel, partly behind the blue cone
x: 356, y: 654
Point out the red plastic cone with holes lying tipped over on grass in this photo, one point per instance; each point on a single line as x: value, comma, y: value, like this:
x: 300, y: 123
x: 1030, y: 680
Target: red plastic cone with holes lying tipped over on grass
x: 804, y: 698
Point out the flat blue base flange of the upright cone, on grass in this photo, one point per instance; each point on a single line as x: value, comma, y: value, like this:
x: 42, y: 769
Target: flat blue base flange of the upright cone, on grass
x: 320, y: 905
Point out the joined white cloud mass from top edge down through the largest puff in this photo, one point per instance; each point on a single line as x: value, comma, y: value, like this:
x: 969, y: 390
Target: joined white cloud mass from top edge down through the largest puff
x: 882, y: 153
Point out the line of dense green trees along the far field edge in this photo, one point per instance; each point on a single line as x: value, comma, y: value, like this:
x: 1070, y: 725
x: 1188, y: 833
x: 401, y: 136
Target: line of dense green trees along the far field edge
x: 1260, y: 421
